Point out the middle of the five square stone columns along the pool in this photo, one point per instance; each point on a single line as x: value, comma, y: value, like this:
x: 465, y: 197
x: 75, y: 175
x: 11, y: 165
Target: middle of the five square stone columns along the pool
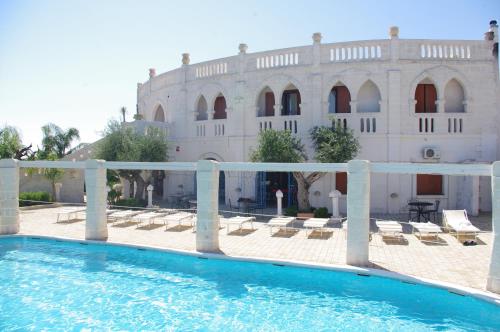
x: 207, y: 226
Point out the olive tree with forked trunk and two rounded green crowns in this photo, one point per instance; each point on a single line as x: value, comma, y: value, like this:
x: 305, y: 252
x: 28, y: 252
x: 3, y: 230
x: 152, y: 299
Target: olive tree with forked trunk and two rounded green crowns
x: 330, y: 145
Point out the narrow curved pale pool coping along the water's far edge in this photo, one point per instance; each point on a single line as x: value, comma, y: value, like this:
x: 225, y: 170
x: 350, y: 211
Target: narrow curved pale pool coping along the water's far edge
x: 361, y: 271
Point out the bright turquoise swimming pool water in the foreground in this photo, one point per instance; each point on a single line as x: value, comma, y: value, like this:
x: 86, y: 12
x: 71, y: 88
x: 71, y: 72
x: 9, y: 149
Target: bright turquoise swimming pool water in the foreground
x: 62, y: 286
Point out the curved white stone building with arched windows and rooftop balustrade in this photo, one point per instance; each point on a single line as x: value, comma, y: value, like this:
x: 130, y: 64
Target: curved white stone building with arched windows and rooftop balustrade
x: 406, y: 100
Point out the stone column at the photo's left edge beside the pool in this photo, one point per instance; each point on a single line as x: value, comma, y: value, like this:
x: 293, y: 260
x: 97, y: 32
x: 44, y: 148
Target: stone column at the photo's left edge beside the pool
x: 9, y: 196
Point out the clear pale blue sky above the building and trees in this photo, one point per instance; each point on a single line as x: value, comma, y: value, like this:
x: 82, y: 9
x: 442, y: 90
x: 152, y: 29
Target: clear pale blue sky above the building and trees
x: 75, y: 63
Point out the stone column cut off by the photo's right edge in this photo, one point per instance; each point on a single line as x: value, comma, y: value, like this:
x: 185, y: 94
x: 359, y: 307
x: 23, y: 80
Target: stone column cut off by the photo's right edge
x: 493, y: 283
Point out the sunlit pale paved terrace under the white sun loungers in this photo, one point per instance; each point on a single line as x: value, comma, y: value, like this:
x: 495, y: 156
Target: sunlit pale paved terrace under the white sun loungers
x: 445, y: 260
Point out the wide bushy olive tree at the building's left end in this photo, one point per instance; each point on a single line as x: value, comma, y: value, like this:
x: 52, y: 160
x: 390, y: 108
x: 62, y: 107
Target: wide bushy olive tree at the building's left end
x: 122, y: 143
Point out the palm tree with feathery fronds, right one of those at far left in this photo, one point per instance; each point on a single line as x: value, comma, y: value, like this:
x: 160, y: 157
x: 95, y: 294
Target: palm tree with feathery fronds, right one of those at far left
x: 56, y: 140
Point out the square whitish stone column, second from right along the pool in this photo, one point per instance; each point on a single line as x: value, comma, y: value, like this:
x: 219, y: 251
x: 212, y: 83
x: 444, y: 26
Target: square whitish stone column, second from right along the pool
x: 358, y: 212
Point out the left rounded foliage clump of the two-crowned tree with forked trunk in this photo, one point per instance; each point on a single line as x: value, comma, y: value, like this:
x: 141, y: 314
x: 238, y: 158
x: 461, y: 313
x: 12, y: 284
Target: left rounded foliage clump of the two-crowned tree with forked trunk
x: 278, y: 147
